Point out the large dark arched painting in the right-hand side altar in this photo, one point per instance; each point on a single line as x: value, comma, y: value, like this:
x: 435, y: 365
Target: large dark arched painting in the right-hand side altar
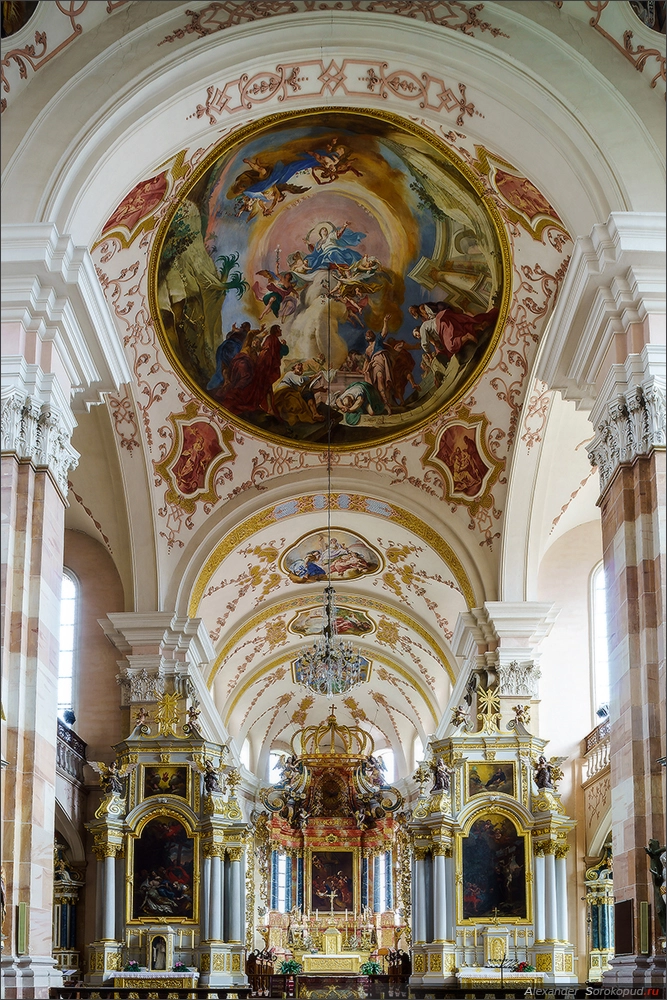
x: 494, y: 870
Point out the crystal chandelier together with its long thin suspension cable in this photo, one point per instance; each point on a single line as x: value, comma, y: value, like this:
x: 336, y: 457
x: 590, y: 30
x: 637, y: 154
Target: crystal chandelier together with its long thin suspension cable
x: 331, y: 666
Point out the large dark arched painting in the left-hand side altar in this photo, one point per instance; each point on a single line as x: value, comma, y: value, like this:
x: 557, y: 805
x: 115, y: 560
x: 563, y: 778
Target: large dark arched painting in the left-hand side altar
x: 163, y: 871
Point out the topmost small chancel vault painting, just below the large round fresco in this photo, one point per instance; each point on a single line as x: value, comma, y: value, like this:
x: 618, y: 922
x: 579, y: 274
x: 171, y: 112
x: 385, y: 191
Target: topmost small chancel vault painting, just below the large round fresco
x: 335, y: 555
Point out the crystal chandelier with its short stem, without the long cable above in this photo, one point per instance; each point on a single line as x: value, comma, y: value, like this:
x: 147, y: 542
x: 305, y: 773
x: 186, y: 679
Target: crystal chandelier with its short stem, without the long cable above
x: 331, y: 666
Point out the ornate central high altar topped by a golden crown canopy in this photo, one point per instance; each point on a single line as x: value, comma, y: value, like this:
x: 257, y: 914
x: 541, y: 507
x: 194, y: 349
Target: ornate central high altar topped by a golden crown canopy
x: 338, y: 853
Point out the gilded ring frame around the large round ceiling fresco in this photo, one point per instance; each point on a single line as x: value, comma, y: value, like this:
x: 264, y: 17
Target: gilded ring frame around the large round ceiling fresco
x: 250, y: 131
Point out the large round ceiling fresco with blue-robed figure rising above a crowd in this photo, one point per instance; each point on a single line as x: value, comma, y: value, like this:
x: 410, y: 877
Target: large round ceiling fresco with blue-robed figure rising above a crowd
x: 331, y: 273
